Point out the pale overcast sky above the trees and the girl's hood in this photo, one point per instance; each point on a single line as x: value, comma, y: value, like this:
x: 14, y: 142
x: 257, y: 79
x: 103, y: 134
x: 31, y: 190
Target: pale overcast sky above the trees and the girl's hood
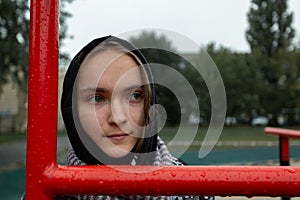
x: 201, y: 21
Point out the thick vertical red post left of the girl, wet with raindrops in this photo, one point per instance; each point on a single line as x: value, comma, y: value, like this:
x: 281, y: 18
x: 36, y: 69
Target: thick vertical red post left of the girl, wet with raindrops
x: 42, y: 95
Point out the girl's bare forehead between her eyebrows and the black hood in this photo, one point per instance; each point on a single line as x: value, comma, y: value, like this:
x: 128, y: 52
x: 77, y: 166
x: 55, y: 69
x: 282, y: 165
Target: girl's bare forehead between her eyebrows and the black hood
x: 108, y: 69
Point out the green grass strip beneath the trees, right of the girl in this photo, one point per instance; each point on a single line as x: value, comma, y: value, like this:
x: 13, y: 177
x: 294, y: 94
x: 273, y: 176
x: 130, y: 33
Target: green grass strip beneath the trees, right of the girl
x: 229, y: 137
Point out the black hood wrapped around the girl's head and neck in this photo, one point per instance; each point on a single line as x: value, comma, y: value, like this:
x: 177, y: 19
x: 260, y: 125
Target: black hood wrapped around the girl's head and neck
x: 69, y: 113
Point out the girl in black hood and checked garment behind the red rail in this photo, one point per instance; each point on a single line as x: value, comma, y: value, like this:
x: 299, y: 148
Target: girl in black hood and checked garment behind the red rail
x: 107, y: 106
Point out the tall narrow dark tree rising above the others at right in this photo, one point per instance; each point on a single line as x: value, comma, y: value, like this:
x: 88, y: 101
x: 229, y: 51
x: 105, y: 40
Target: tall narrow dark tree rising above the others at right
x: 270, y: 36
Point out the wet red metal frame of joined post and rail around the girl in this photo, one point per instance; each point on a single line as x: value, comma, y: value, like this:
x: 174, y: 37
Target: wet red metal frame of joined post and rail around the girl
x: 45, y: 178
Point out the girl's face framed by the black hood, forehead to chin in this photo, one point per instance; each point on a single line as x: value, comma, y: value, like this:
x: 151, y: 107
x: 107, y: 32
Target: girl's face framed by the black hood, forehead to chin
x: 111, y: 102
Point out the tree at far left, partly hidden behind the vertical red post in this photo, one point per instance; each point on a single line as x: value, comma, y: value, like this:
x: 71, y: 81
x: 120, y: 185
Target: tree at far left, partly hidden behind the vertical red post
x: 14, y: 42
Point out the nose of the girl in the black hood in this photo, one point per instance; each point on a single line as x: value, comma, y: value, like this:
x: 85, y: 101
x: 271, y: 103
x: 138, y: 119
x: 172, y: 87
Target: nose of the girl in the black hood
x: 118, y: 114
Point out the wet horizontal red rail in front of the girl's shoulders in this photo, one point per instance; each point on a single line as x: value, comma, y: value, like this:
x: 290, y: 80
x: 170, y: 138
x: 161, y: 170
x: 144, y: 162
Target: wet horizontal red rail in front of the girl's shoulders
x: 188, y: 180
